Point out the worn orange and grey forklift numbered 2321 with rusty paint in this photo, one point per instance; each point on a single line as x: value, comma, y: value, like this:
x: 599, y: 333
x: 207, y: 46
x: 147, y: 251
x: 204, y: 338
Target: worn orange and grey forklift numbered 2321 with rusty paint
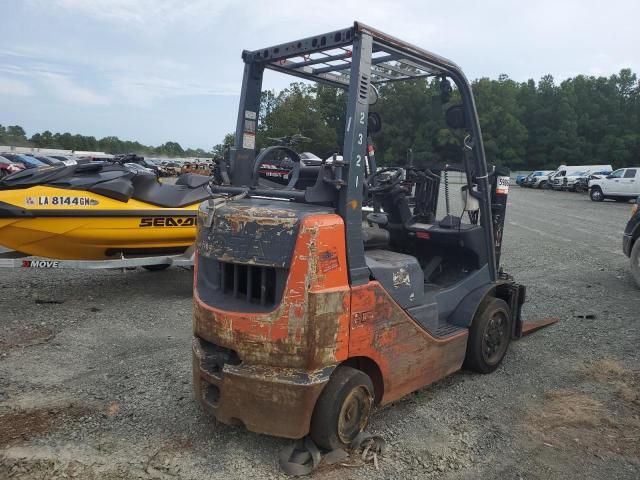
x: 316, y: 300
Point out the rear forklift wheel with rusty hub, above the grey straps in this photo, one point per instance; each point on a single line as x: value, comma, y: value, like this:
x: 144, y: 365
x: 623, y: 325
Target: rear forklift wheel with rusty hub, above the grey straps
x: 343, y: 408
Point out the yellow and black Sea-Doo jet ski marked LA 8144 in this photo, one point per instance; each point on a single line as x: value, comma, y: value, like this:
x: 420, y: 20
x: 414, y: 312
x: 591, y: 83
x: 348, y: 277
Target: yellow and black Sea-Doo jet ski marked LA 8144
x: 98, y: 210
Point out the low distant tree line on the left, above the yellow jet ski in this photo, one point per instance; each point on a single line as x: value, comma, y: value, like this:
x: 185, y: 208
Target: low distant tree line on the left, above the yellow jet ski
x: 15, y: 135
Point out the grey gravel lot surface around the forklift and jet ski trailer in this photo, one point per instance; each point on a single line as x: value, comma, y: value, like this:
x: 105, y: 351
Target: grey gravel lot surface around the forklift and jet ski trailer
x: 95, y: 373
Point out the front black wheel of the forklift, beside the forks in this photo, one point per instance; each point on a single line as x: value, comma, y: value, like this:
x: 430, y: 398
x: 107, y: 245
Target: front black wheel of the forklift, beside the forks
x: 489, y: 336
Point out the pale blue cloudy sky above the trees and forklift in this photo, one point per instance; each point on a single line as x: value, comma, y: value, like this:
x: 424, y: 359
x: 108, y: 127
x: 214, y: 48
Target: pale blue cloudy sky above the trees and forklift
x: 170, y: 70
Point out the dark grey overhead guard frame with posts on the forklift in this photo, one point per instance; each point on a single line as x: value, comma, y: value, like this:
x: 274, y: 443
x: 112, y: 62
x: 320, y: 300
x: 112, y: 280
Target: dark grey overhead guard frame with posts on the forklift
x: 353, y: 59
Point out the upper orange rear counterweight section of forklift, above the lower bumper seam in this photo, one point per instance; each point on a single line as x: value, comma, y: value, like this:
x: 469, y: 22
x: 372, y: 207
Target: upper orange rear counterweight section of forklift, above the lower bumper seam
x: 310, y: 323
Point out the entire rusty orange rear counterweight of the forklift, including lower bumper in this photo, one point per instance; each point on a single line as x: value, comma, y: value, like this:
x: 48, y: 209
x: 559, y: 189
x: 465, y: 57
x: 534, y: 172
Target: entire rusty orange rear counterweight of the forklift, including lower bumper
x: 287, y: 354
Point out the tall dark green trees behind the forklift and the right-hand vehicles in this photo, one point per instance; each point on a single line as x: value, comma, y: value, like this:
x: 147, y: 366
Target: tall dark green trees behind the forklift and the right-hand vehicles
x: 525, y: 125
